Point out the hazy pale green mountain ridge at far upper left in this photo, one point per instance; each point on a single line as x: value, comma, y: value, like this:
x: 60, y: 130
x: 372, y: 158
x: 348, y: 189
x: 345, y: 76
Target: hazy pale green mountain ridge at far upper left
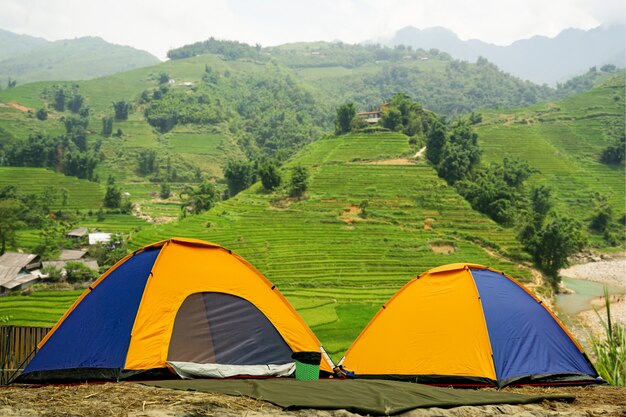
x: 26, y: 59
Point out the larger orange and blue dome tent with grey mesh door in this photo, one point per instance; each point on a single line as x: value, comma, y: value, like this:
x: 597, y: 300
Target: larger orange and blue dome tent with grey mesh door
x: 180, y: 305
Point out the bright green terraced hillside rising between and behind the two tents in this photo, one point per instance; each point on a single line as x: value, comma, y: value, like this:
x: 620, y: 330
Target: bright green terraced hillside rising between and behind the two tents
x: 335, y: 263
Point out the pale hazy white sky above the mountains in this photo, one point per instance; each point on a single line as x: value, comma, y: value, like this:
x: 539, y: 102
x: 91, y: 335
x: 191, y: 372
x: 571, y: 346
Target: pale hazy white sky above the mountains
x: 159, y: 25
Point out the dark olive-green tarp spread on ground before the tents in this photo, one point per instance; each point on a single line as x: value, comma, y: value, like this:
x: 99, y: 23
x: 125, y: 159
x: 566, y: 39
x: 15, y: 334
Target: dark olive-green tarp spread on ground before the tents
x: 375, y: 397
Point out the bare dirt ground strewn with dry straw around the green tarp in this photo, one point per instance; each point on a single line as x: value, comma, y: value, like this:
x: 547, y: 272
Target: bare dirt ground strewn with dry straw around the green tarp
x: 134, y: 400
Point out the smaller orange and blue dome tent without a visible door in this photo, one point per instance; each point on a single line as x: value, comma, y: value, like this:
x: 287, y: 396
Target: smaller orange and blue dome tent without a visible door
x: 464, y: 325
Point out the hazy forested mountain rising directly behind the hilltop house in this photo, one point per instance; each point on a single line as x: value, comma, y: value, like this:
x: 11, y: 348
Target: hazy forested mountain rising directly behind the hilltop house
x: 369, y: 74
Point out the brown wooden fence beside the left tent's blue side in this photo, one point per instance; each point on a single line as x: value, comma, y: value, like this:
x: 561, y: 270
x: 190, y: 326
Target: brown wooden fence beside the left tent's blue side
x: 17, y: 347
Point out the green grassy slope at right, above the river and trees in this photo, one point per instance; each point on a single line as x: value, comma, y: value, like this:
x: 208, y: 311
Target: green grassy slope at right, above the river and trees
x: 564, y: 141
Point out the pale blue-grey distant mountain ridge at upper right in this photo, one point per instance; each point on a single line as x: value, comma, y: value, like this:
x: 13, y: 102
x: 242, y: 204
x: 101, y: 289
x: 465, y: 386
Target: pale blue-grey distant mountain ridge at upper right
x: 539, y: 59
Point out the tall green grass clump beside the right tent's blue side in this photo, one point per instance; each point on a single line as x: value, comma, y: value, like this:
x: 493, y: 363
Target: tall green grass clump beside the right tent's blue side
x: 610, y: 352
